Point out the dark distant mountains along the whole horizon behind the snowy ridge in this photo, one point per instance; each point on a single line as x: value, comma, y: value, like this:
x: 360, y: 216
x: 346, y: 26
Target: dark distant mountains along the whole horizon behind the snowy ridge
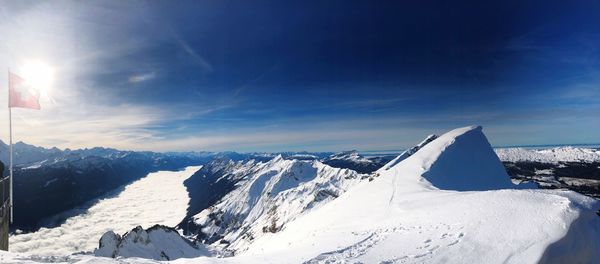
x: 63, y: 179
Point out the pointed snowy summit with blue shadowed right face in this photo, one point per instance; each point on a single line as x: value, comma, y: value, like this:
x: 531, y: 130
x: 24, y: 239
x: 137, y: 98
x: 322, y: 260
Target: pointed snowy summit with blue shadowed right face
x: 442, y: 161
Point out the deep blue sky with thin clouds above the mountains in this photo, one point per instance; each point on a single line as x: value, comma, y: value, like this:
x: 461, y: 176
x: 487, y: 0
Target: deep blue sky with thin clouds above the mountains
x: 317, y: 76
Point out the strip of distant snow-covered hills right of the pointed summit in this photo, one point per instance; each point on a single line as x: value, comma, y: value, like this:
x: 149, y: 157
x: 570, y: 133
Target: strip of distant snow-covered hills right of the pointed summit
x: 552, y: 155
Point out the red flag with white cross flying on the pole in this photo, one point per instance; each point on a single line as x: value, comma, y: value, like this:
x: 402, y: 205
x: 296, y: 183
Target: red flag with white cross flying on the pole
x: 21, y: 94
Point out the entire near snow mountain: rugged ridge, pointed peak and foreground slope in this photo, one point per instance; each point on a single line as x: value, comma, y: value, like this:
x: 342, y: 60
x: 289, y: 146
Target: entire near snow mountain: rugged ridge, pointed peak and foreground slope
x: 449, y: 202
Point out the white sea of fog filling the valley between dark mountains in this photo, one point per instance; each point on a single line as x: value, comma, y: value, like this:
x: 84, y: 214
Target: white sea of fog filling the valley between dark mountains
x: 159, y: 198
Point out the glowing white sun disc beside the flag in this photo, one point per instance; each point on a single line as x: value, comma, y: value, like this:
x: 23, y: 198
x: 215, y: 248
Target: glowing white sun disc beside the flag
x: 38, y: 75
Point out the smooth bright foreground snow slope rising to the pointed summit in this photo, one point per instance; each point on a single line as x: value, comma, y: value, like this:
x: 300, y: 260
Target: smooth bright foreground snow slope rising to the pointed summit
x: 402, y: 216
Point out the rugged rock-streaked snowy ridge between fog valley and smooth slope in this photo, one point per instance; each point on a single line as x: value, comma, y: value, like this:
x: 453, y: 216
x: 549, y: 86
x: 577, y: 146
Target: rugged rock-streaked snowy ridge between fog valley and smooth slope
x: 270, y: 195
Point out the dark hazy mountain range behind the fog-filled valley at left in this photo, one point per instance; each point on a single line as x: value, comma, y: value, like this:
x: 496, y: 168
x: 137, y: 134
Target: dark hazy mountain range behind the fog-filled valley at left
x: 50, y: 181
